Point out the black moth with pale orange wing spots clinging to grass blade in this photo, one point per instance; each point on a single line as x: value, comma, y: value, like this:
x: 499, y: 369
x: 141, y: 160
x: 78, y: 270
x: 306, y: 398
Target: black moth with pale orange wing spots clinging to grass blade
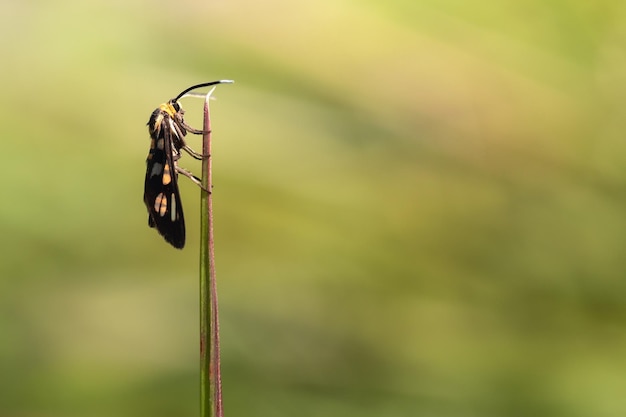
x: 167, y: 129
